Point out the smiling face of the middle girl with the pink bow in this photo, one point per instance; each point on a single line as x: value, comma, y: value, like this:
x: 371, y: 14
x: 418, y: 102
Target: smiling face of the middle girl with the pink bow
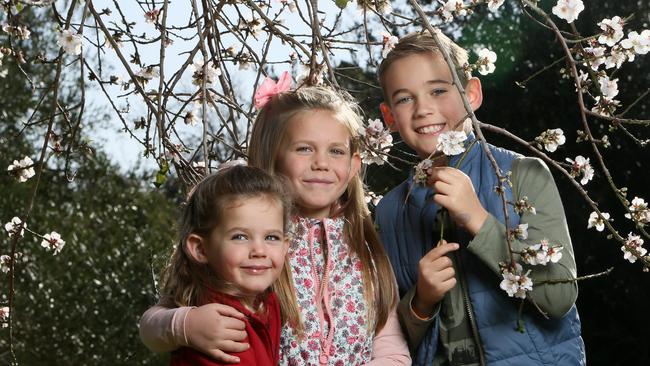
x: 317, y: 160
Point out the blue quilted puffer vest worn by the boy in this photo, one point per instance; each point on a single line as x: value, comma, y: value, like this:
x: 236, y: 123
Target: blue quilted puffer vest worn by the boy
x: 407, y: 231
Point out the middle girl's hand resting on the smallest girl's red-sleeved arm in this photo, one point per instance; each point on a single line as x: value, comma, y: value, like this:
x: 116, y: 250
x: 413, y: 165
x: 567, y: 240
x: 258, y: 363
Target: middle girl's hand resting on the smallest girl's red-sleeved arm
x: 215, y: 329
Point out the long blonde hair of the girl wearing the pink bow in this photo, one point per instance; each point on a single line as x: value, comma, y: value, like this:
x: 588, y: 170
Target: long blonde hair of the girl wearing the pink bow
x: 268, y: 136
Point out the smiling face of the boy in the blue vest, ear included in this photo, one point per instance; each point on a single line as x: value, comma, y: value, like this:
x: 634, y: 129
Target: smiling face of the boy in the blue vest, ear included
x: 424, y: 102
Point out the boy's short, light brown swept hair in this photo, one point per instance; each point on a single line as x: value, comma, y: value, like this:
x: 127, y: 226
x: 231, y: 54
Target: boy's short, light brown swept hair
x: 422, y: 42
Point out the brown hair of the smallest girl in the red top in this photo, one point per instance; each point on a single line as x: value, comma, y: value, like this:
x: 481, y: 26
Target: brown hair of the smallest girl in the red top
x: 186, y: 281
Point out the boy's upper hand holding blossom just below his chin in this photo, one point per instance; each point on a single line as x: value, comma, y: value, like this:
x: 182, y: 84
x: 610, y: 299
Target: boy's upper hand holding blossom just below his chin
x: 455, y: 192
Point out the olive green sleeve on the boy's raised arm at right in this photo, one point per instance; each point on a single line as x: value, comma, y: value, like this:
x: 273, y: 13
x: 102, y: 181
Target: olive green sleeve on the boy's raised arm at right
x: 532, y: 178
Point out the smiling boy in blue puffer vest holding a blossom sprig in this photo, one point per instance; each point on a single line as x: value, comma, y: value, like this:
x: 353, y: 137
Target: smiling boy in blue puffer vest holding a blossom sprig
x: 452, y: 308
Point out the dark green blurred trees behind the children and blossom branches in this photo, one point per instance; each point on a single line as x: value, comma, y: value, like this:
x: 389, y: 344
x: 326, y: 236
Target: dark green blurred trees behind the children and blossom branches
x: 82, y: 305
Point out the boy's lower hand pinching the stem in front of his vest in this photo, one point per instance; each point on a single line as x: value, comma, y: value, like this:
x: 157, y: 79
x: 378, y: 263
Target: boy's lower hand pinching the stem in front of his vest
x: 436, y: 276
